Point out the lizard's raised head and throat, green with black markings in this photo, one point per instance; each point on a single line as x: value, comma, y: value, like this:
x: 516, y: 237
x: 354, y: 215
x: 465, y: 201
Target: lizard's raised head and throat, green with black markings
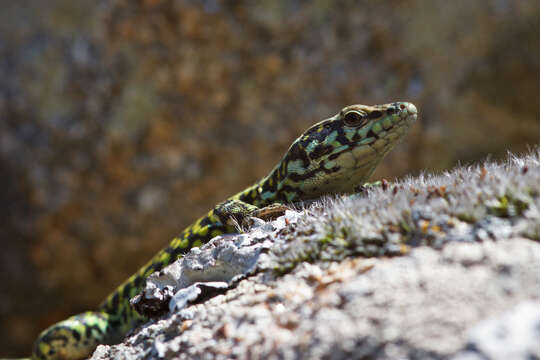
x: 340, y: 153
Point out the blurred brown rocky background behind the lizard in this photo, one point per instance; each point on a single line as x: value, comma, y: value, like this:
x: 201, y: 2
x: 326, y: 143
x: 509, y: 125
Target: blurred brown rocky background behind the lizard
x: 121, y: 121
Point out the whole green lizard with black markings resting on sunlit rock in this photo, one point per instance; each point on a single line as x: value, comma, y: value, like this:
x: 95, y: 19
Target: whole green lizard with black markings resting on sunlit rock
x: 331, y: 157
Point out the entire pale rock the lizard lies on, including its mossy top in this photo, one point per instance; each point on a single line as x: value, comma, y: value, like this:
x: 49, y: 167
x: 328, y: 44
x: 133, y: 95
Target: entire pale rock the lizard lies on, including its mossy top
x: 443, y: 299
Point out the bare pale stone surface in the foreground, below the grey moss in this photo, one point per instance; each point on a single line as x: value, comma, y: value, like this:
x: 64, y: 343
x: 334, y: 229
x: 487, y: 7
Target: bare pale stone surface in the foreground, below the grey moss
x: 420, y: 306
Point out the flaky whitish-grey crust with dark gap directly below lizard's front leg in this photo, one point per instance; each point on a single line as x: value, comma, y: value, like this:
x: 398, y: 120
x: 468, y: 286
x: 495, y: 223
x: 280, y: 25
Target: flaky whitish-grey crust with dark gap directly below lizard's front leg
x: 219, y: 264
